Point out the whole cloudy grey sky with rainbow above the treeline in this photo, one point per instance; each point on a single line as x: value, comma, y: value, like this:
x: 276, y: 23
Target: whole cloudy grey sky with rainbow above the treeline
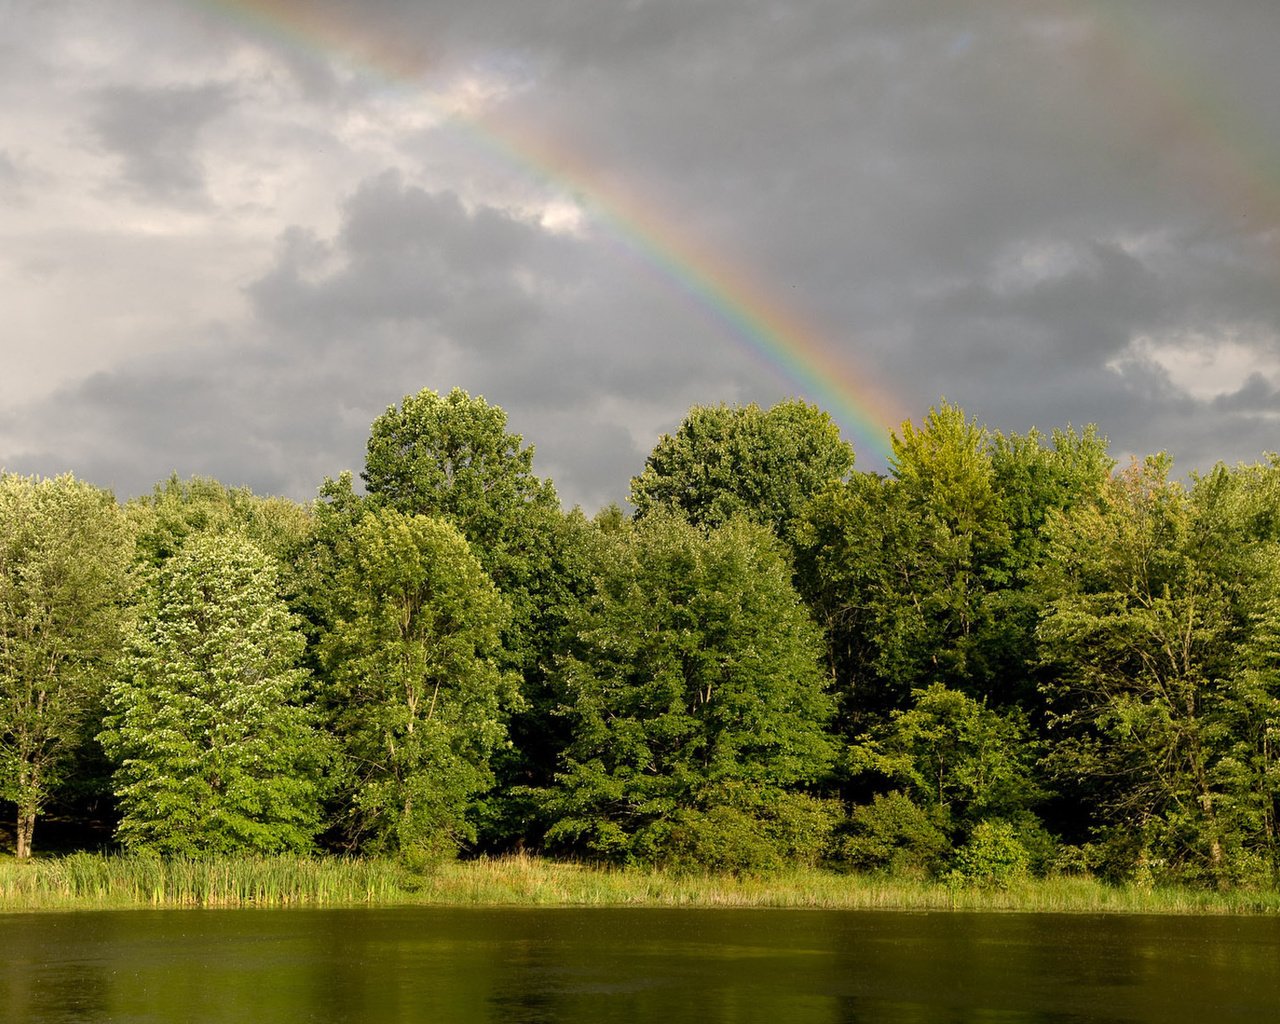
x: 232, y: 234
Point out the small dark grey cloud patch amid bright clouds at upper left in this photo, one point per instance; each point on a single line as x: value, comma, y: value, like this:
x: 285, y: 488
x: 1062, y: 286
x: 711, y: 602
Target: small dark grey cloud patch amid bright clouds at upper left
x: 156, y: 132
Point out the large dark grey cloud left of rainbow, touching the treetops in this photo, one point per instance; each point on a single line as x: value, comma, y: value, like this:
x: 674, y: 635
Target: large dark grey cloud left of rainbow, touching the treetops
x: 414, y: 291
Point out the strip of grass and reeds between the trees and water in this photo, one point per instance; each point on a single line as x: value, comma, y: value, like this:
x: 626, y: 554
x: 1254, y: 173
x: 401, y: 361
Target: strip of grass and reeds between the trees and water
x: 86, y: 881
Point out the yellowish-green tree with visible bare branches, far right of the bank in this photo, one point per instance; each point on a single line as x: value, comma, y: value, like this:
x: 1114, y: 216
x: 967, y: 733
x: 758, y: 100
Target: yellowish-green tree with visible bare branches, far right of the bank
x: 1156, y: 669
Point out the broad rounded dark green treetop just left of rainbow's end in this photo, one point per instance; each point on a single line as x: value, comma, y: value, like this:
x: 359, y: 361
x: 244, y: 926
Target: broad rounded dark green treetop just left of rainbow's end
x: 743, y: 461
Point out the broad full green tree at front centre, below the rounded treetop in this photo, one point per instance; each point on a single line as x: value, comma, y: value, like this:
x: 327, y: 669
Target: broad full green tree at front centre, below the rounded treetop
x: 697, y: 703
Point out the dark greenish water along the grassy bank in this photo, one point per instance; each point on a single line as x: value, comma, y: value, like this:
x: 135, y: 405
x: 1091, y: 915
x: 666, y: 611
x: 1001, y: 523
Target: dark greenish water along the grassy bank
x: 634, y: 966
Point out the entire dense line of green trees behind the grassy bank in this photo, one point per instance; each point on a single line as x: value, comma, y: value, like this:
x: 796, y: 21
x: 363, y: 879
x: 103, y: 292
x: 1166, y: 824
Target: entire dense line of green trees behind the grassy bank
x: 1004, y: 656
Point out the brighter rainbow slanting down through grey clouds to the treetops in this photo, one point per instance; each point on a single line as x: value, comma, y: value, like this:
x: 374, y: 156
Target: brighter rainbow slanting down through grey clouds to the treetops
x: 757, y: 319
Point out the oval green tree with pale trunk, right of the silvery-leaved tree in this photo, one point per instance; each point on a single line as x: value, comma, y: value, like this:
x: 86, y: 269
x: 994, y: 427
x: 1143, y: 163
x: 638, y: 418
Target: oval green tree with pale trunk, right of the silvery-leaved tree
x: 417, y: 696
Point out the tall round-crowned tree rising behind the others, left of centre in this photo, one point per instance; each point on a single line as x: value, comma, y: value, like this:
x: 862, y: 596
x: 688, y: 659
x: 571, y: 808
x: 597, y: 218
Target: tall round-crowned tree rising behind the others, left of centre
x: 454, y: 458
